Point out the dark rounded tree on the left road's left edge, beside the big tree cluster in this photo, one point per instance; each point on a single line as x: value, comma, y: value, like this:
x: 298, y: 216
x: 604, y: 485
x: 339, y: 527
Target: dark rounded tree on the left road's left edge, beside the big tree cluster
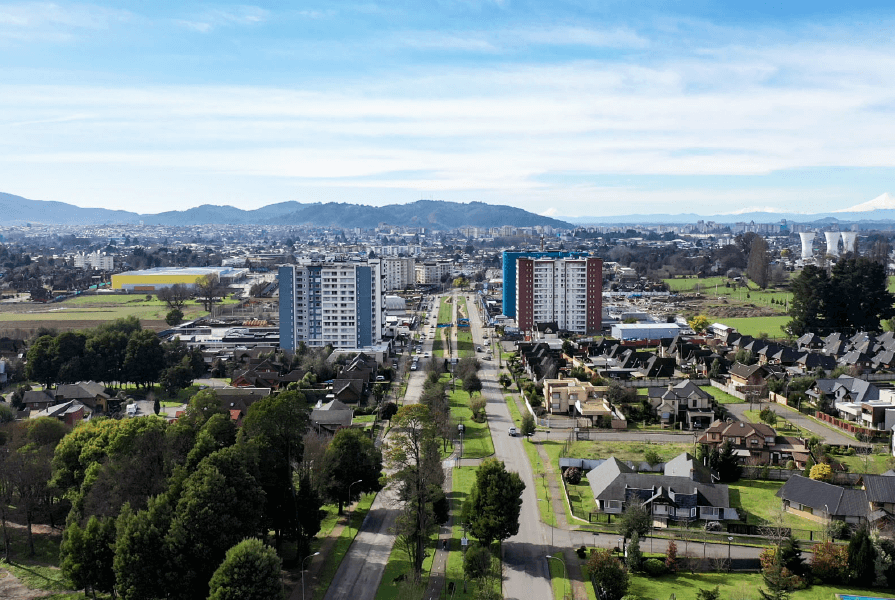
x: 351, y: 456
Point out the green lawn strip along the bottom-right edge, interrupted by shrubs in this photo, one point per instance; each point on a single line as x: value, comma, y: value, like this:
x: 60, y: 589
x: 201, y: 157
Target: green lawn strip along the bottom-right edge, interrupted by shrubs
x: 731, y: 585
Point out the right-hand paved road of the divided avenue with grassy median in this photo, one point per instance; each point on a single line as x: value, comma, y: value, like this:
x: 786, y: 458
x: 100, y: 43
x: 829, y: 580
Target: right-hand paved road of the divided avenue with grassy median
x: 524, y: 555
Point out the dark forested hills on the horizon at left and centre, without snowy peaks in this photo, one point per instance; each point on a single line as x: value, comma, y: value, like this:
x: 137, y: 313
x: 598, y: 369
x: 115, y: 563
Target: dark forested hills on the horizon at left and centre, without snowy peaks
x: 433, y: 214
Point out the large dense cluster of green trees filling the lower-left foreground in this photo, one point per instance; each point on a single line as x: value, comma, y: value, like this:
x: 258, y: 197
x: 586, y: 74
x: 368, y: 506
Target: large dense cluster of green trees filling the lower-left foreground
x: 161, y: 505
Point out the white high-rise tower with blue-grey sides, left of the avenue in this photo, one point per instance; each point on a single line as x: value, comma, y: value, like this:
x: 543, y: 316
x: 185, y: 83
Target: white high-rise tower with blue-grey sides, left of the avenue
x: 331, y: 303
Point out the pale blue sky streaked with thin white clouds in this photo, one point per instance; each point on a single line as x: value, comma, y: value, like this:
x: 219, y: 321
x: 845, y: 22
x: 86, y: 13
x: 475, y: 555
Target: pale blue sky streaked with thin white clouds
x: 565, y: 108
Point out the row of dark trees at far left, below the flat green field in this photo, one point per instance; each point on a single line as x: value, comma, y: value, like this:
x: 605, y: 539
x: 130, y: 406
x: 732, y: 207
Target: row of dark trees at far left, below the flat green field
x: 115, y: 353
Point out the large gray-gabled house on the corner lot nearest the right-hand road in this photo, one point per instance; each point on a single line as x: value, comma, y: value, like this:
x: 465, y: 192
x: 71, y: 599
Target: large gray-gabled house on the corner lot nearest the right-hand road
x: 684, y: 493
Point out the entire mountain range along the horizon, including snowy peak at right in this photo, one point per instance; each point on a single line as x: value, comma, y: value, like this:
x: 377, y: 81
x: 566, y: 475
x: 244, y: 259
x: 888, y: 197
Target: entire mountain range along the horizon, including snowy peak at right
x: 432, y: 214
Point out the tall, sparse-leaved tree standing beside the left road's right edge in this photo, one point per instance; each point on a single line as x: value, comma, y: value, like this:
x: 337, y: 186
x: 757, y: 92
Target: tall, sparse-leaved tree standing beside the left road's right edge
x: 416, y: 476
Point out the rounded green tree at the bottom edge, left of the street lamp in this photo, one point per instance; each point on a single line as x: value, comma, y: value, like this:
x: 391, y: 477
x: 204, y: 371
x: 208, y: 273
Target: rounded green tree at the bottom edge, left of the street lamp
x: 250, y: 571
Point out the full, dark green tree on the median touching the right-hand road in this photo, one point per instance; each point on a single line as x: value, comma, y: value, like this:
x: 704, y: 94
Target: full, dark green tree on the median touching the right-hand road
x: 492, y: 507
